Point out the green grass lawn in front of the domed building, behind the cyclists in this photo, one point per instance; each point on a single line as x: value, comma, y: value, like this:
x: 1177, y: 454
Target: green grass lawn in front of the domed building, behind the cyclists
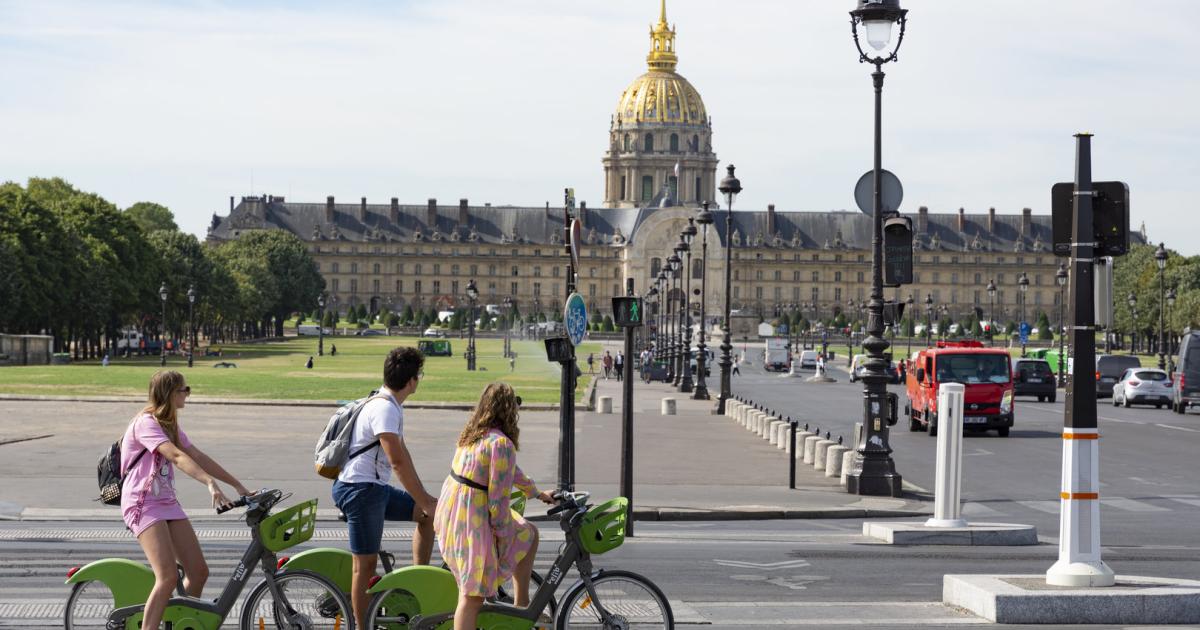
x: 278, y: 370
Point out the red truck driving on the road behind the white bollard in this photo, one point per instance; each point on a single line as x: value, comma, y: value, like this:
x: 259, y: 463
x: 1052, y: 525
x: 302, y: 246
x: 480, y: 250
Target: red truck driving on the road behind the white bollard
x: 987, y: 375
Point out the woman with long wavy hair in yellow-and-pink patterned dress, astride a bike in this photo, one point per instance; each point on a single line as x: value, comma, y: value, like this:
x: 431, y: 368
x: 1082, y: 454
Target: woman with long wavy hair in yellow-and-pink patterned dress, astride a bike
x: 483, y: 541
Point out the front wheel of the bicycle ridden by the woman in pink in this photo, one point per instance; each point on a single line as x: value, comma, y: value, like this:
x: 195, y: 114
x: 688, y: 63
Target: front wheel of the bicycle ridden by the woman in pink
x: 309, y: 601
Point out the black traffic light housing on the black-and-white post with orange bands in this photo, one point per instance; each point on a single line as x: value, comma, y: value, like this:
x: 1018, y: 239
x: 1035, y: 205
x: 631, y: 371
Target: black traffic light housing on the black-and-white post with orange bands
x: 1111, y: 218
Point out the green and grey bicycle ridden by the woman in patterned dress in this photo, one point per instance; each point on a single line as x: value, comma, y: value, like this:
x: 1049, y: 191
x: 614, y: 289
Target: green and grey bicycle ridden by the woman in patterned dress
x: 605, y: 599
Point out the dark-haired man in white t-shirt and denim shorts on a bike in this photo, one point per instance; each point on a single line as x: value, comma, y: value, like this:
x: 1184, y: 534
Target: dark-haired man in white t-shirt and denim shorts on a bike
x: 363, y: 491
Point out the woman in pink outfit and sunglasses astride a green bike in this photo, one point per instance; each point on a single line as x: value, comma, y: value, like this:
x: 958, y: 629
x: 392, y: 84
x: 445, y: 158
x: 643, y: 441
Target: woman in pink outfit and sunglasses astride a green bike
x: 154, y: 446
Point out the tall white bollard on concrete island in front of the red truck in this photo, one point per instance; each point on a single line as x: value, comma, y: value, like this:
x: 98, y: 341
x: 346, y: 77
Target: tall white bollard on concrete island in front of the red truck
x: 949, y: 481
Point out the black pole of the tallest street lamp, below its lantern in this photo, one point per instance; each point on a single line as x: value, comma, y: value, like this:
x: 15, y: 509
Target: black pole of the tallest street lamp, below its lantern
x: 873, y: 471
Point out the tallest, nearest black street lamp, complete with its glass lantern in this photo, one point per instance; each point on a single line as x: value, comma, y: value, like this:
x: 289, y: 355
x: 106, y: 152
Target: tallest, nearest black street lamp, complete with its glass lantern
x: 873, y: 471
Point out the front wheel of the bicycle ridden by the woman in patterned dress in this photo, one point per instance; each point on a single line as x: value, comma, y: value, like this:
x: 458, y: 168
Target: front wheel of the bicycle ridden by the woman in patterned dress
x: 623, y: 599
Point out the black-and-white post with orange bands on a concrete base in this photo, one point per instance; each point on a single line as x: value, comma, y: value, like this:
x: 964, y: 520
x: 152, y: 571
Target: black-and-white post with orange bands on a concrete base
x: 1079, y: 538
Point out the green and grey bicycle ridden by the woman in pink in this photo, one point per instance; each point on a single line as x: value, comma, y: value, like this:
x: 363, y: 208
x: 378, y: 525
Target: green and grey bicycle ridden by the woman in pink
x: 111, y: 593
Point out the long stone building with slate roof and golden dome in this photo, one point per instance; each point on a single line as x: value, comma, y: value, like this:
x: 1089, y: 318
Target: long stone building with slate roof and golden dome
x: 399, y: 255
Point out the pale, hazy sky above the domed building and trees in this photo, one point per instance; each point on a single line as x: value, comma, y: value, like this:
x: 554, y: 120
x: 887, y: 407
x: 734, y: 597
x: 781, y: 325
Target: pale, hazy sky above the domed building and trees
x: 508, y: 103
